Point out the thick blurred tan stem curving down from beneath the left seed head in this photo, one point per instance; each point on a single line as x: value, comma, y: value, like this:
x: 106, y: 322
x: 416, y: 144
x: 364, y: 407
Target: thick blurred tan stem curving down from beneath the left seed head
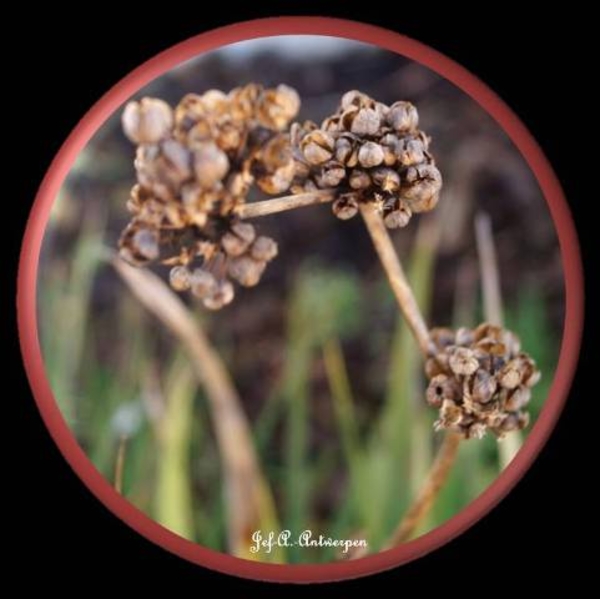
x: 249, y: 502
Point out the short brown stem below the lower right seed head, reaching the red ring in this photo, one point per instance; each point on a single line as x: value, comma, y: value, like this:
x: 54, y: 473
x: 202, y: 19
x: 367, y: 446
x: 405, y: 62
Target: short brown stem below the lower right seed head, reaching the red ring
x: 423, y: 503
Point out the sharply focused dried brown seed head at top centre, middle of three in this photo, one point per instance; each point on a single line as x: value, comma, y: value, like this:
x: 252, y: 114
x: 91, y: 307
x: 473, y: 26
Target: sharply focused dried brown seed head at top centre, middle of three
x: 369, y: 152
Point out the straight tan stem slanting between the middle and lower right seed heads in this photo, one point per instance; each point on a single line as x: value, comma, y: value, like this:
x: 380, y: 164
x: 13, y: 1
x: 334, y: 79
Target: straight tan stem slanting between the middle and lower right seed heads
x: 395, y: 273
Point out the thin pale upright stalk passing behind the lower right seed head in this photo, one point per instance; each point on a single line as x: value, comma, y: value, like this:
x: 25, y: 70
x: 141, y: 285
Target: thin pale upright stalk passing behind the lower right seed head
x: 492, y: 307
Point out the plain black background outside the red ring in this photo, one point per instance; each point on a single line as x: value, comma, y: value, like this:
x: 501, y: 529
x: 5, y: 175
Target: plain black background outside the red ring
x: 539, y: 66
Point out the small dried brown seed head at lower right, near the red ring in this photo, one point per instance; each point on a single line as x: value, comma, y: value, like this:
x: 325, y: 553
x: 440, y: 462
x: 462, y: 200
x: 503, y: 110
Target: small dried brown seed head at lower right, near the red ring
x: 480, y: 380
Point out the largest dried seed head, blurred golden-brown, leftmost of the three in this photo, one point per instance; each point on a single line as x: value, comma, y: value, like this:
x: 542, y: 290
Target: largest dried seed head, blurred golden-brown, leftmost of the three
x: 195, y: 166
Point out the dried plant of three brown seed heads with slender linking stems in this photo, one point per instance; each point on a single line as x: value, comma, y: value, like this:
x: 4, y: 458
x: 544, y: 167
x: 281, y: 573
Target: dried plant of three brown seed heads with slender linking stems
x: 195, y: 167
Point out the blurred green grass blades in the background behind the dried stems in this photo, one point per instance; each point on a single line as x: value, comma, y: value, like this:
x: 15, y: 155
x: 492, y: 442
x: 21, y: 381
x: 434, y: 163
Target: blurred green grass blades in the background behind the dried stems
x: 365, y: 467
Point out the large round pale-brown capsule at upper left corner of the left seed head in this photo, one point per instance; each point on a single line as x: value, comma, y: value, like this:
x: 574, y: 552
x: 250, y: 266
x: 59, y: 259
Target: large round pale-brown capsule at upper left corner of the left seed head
x: 148, y: 121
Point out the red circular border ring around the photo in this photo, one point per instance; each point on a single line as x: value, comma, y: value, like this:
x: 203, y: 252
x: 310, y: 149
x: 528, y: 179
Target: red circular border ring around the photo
x: 107, y: 105
